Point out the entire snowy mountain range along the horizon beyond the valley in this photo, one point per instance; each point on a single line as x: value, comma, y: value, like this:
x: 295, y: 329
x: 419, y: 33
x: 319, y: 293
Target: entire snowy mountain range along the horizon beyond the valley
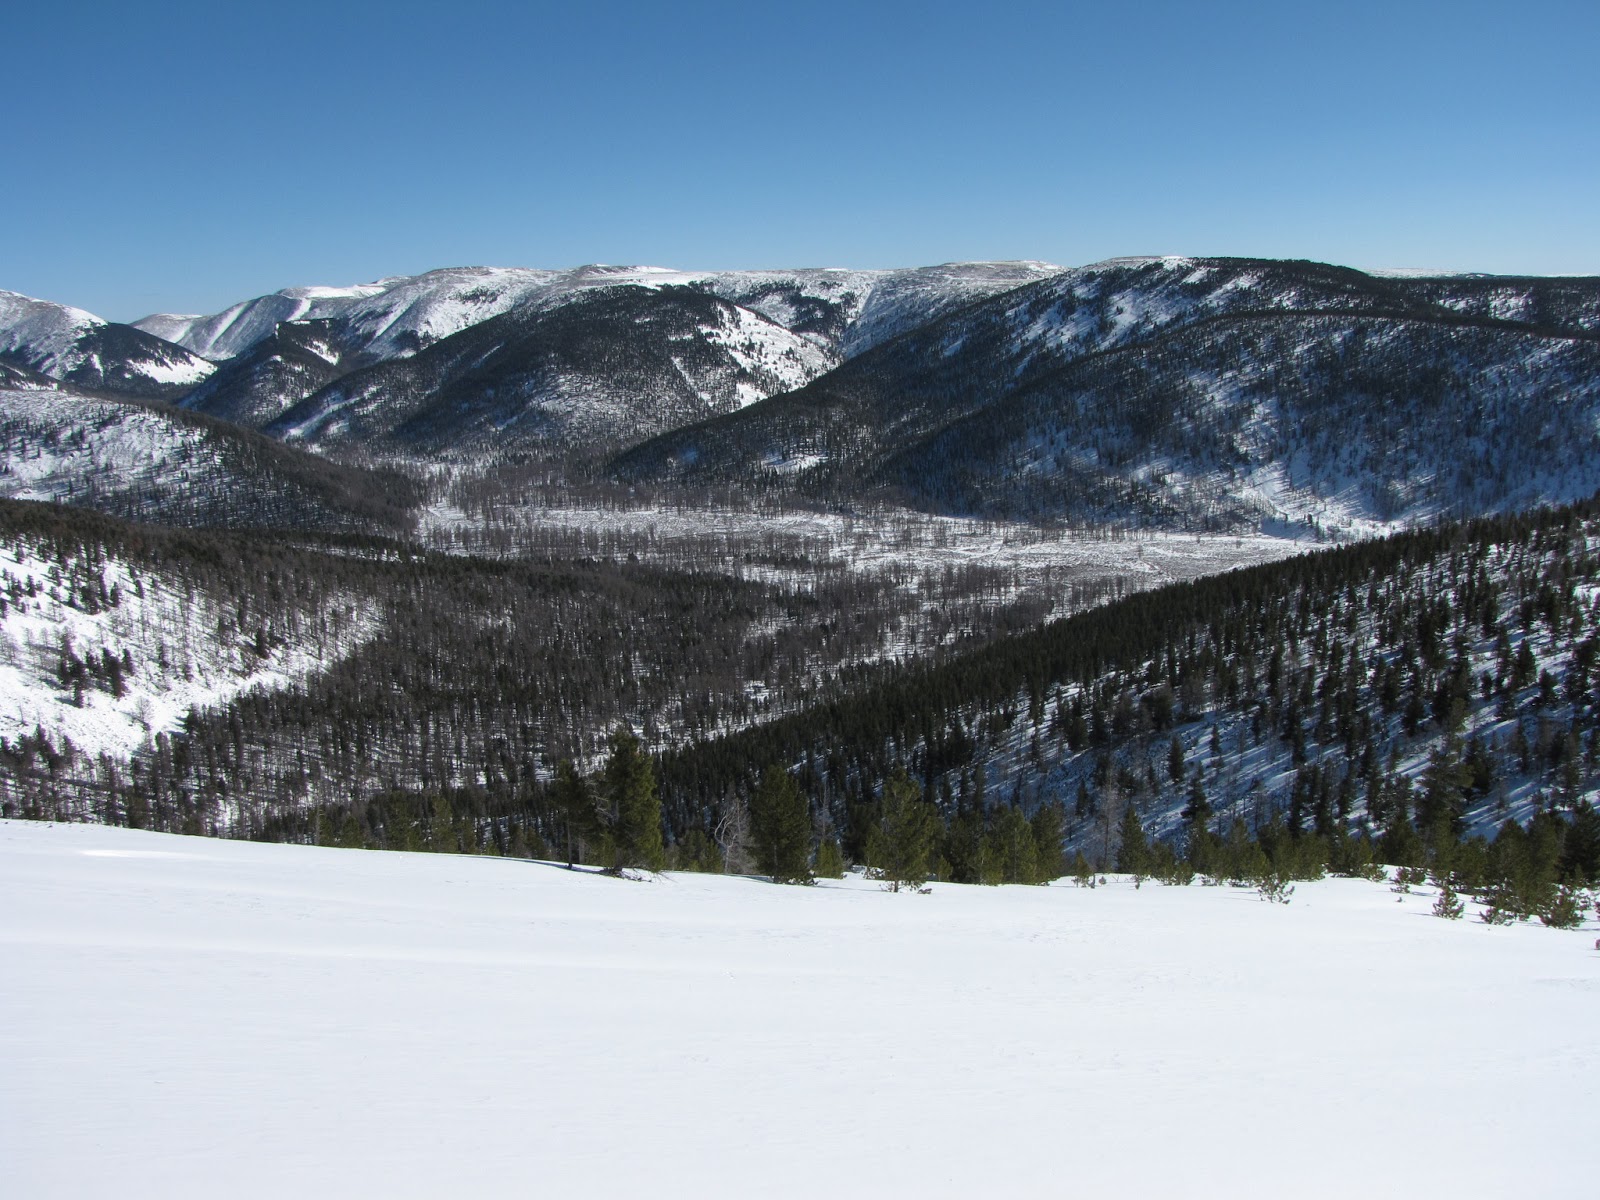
x: 1169, y: 391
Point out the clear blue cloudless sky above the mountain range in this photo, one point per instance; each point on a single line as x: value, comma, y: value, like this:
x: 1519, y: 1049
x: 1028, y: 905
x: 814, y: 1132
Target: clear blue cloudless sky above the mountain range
x: 185, y: 156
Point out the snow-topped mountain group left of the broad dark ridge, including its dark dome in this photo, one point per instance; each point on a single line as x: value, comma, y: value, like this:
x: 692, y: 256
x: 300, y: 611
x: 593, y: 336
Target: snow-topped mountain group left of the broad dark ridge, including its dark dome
x: 777, y: 332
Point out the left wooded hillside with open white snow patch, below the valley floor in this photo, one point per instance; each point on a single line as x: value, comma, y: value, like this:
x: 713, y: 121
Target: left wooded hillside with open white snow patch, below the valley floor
x: 454, y: 671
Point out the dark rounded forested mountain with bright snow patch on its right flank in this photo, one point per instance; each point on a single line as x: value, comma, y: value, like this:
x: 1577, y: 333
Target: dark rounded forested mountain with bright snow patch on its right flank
x: 599, y: 372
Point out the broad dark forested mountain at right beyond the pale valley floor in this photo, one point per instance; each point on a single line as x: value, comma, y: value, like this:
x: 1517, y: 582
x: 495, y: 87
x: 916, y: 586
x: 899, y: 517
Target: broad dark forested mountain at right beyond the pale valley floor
x: 1188, y: 393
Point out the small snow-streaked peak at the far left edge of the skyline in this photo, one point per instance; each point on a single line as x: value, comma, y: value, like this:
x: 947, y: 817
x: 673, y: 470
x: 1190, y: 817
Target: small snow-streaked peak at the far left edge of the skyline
x: 82, y: 350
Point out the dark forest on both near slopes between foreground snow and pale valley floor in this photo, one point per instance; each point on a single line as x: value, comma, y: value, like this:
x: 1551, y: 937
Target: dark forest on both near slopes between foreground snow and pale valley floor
x: 1402, y: 702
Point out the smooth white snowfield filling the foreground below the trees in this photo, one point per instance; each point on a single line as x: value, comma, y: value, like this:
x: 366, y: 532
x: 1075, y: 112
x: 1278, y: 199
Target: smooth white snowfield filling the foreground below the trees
x: 185, y: 1017
